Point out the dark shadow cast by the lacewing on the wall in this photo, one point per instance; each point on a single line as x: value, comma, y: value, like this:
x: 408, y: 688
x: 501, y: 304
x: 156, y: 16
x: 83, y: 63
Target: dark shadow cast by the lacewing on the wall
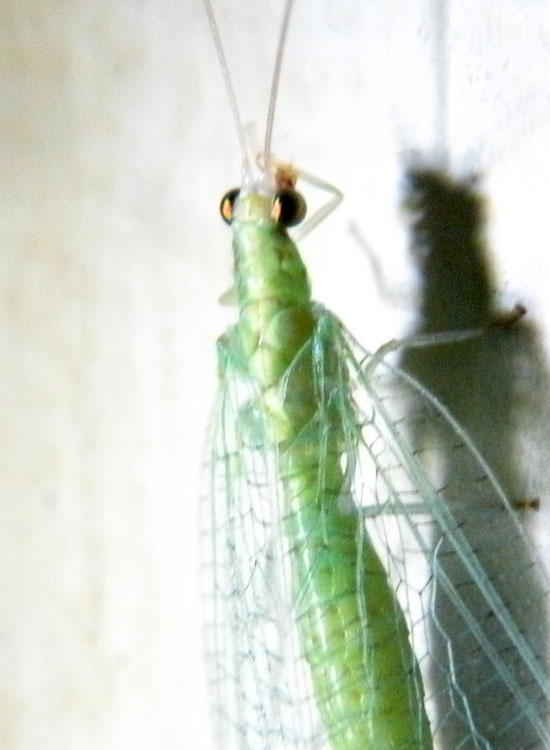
x: 490, y: 384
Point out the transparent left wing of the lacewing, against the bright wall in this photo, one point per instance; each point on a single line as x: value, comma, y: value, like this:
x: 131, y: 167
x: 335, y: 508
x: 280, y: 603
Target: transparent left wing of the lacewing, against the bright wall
x: 261, y: 693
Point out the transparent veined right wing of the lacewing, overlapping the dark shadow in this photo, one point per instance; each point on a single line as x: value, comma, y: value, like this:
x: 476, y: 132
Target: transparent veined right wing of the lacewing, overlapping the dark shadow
x: 483, y: 615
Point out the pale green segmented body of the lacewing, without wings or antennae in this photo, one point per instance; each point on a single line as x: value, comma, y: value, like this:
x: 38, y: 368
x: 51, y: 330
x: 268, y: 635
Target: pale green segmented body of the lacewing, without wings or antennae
x: 354, y: 637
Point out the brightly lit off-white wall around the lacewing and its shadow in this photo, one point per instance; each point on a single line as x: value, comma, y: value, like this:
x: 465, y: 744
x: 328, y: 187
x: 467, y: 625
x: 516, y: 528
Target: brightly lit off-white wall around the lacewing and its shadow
x: 116, y: 144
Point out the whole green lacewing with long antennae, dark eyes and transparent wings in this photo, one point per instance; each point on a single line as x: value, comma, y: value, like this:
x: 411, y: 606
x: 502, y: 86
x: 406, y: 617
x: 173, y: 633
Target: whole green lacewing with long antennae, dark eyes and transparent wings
x: 338, y: 550
